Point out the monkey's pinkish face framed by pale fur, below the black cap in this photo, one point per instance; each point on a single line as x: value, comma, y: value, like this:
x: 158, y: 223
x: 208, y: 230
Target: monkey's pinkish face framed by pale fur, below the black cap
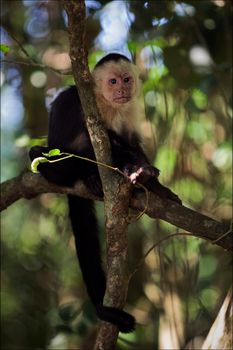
x: 116, y: 83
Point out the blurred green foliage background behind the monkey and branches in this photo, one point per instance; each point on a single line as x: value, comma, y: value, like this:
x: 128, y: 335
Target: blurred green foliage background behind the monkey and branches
x: 184, y: 52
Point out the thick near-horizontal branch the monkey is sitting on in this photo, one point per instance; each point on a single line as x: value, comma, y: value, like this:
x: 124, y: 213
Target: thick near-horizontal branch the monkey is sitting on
x: 29, y: 185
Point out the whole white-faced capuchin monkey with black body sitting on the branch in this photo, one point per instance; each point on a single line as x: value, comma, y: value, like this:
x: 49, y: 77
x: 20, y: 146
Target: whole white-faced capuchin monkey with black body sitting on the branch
x: 117, y: 90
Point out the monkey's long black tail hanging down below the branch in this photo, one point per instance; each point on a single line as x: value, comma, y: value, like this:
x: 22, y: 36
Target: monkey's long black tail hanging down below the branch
x: 85, y: 229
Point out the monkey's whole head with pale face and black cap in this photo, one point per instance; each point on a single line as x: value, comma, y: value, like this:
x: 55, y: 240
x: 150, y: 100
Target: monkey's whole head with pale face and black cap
x: 116, y: 80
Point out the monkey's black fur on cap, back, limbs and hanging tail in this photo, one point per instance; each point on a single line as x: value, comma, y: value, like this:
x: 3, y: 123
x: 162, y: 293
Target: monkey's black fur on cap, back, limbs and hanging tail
x: 67, y: 131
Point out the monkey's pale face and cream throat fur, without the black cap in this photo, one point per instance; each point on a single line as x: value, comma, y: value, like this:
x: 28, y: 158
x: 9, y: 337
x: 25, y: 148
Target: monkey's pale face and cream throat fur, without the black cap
x: 117, y: 90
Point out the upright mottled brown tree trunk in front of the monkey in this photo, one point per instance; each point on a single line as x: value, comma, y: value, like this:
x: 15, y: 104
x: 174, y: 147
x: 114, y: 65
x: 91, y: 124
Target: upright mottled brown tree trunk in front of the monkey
x: 116, y: 191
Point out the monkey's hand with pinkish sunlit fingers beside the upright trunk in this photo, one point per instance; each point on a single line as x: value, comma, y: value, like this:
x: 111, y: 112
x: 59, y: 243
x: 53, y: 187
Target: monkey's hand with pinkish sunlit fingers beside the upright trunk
x: 141, y: 174
